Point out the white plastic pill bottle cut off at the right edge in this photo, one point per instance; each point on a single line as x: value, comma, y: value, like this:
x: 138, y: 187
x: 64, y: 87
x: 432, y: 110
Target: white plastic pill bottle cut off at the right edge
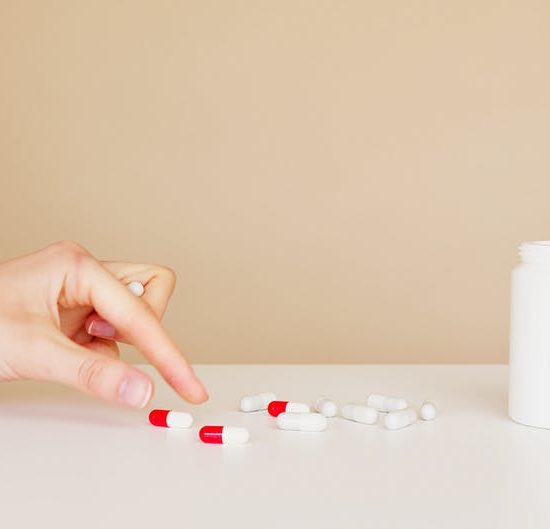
x: 529, y: 384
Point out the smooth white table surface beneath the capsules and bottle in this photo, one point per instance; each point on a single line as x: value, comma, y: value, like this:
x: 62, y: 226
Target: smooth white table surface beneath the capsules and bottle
x: 67, y: 460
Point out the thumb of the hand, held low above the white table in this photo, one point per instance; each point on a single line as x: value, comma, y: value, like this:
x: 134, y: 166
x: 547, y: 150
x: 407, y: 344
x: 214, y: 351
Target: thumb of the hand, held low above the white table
x: 99, y: 375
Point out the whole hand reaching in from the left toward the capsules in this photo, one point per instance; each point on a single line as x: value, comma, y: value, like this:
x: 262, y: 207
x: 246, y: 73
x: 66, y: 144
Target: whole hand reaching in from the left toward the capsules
x: 62, y: 313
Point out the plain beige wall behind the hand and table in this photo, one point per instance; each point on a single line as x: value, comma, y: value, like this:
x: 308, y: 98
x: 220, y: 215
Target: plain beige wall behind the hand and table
x: 334, y: 181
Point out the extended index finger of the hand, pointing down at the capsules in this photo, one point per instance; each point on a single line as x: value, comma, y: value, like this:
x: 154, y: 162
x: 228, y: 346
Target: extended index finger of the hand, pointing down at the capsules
x: 133, y: 318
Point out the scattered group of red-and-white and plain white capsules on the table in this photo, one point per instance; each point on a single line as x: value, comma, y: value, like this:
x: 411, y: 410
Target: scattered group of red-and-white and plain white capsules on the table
x: 394, y: 412
